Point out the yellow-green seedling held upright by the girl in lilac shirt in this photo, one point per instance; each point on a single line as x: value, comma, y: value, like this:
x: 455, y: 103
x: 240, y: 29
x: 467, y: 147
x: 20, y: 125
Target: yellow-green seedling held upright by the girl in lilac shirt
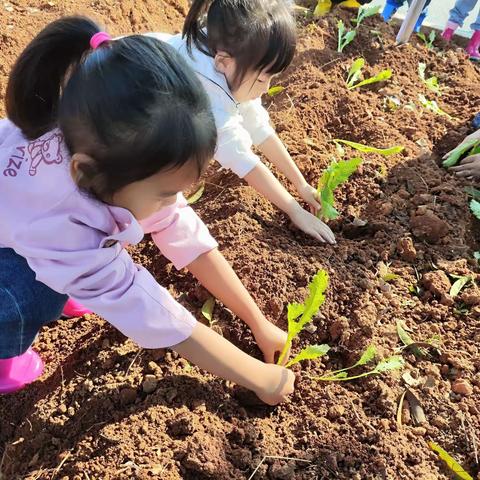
x: 300, y: 314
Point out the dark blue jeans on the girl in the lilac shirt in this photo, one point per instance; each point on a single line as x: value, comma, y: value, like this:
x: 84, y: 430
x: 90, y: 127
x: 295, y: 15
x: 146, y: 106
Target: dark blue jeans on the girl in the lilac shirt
x: 25, y: 304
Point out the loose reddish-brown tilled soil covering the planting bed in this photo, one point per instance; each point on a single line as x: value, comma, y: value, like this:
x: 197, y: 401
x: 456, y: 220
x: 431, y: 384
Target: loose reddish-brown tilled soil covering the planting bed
x: 89, y: 417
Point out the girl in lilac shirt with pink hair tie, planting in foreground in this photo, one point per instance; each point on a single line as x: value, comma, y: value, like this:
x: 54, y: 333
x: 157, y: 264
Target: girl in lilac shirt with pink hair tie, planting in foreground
x: 102, y: 136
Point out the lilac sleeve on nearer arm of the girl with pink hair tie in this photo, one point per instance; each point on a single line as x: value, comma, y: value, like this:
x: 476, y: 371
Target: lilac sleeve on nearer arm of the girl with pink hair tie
x: 105, y: 280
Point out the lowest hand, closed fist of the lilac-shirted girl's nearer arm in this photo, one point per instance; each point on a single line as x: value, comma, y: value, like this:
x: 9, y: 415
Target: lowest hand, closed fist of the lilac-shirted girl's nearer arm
x: 277, y: 383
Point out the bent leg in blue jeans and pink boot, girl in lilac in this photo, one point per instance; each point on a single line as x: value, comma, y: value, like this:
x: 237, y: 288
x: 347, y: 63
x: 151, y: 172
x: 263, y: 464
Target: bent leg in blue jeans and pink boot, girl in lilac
x: 25, y: 306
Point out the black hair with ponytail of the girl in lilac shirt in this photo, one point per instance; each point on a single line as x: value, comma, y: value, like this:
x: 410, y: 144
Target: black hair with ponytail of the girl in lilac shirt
x: 132, y: 104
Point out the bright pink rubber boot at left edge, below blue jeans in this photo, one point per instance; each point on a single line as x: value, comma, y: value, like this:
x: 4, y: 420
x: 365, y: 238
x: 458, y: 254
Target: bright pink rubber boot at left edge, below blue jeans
x: 16, y: 372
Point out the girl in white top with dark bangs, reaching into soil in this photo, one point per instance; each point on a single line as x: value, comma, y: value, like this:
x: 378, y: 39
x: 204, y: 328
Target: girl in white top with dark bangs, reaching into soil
x: 236, y: 50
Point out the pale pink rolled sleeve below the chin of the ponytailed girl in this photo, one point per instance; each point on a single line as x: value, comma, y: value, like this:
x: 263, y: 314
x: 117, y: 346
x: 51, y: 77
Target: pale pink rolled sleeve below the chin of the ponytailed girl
x: 179, y: 233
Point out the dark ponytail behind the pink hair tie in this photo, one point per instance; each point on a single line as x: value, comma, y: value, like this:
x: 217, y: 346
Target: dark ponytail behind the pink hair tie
x: 38, y: 76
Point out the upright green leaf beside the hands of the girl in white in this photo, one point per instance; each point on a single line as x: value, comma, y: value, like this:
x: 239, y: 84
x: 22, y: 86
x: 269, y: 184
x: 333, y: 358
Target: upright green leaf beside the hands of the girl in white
x: 336, y: 174
